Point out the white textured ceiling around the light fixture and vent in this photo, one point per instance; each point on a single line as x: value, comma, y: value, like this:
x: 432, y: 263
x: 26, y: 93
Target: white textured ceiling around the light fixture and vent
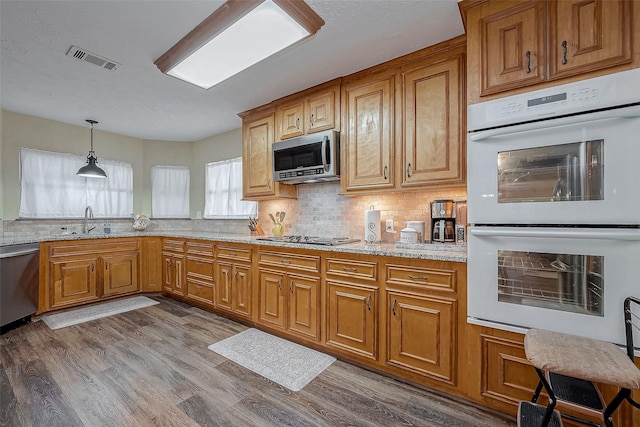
x: 39, y: 79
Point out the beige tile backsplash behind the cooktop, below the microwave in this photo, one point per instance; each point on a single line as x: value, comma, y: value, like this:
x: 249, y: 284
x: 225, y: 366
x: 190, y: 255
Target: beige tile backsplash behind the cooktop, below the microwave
x: 321, y: 211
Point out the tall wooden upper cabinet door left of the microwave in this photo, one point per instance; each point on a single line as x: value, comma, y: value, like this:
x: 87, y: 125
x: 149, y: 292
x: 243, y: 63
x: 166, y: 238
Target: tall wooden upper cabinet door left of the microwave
x: 257, y: 138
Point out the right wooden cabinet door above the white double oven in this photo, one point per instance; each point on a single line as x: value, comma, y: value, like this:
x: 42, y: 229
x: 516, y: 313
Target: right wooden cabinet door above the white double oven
x: 588, y: 35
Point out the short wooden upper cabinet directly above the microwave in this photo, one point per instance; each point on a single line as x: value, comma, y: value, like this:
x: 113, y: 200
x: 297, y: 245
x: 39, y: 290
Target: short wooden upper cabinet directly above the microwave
x: 308, y: 113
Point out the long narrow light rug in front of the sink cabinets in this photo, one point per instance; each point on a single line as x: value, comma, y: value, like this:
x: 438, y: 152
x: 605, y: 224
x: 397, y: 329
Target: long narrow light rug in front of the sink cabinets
x: 85, y: 314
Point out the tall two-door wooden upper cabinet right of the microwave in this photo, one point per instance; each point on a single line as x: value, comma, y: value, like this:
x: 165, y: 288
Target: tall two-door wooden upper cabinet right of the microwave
x: 403, y: 128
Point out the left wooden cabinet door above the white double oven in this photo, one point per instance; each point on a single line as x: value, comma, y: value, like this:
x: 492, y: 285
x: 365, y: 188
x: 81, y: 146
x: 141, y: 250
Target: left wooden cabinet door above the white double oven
x: 512, y: 50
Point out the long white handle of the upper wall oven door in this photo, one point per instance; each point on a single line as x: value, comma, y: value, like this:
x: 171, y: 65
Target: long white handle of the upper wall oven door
x: 618, y: 114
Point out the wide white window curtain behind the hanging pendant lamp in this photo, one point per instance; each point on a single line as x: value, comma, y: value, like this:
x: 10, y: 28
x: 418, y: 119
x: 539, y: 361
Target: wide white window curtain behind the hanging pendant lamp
x: 50, y: 188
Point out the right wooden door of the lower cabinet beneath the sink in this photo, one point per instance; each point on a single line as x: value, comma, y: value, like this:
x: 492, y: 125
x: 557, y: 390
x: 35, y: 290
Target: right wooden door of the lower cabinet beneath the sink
x: 120, y: 274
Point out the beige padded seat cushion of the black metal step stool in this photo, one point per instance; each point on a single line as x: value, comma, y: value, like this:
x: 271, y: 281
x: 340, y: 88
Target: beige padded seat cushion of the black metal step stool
x: 580, y: 357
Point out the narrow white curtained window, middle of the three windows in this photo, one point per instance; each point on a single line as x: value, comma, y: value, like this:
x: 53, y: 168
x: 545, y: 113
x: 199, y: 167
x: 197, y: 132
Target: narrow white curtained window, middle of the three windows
x: 170, y: 191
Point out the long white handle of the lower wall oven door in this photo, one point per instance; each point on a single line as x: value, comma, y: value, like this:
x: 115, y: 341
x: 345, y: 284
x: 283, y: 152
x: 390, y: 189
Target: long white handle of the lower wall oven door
x: 600, y: 234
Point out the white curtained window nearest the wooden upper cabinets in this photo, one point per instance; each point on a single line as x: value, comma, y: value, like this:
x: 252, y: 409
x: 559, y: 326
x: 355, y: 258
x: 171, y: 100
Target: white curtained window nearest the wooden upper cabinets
x: 223, y: 191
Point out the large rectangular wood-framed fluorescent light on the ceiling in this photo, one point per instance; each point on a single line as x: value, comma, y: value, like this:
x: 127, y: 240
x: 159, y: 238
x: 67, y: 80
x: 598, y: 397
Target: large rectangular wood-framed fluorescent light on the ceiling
x: 237, y: 35
